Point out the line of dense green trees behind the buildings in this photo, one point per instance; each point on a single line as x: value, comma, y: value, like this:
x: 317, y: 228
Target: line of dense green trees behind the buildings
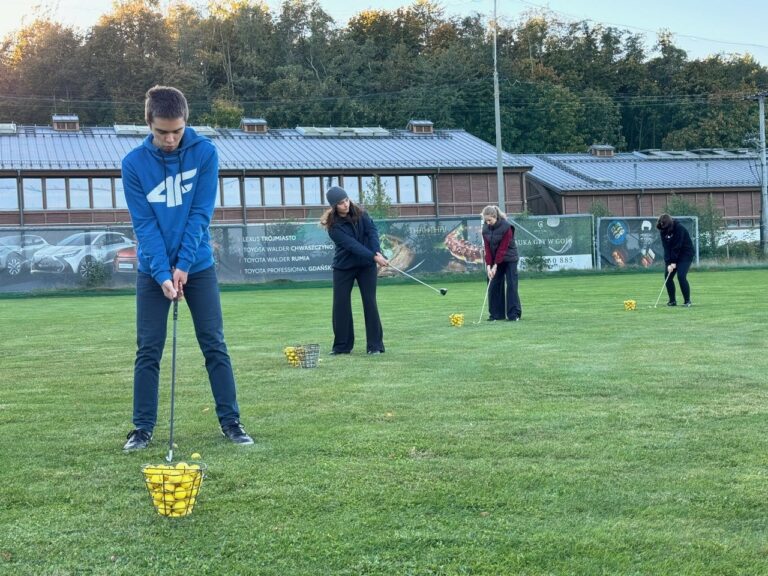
x: 563, y: 85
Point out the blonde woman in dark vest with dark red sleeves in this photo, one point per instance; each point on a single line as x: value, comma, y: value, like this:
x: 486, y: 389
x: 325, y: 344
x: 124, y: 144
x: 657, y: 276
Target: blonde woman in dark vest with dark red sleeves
x: 501, y: 265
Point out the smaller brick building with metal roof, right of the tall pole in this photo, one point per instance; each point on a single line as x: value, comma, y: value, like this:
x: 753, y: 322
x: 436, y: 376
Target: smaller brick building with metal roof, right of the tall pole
x: 640, y: 183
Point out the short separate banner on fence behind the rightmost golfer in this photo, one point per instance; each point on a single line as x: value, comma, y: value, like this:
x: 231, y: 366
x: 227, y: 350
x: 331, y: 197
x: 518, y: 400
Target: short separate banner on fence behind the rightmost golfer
x: 635, y: 242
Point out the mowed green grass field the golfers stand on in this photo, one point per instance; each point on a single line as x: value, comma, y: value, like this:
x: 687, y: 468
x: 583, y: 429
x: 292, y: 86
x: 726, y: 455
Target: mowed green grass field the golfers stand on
x: 583, y: 440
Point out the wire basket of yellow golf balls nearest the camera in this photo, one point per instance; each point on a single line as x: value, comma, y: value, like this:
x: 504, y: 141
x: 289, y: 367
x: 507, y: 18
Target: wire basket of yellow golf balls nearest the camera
x: 174, y: 489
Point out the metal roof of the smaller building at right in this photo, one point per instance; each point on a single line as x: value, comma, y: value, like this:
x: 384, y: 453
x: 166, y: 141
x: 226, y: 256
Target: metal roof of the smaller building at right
x: 648, y: 170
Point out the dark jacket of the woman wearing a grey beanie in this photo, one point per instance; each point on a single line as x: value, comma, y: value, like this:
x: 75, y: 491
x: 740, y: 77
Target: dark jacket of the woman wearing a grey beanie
x: 356, y: 243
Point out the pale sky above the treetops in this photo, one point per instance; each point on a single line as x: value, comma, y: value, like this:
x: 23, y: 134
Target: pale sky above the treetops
x: 701, y: 27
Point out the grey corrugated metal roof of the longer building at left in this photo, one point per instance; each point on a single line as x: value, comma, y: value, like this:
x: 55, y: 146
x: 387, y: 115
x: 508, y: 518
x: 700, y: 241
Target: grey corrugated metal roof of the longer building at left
x: 42, y: 148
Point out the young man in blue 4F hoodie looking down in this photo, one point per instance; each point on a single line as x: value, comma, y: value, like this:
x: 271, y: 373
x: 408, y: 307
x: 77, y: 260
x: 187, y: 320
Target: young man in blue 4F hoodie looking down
x: 170, y: 184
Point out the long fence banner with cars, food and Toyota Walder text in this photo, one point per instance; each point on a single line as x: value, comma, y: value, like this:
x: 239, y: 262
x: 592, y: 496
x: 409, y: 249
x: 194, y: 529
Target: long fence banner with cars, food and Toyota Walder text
x: 49, y: 258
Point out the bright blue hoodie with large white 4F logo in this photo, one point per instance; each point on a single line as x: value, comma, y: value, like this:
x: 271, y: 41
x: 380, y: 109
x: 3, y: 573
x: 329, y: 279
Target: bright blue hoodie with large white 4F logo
x: 171, y: 197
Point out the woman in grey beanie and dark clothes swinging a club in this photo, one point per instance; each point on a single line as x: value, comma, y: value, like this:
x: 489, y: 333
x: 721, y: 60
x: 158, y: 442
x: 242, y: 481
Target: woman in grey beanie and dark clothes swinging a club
x: 356, y: 257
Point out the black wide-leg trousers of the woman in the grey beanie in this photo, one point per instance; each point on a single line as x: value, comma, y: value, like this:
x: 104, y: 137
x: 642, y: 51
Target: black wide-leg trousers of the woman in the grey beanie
x: 343, y: 324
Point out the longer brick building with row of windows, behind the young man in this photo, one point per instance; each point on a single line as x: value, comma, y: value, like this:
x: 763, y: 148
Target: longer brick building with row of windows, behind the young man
x: 65, y: 174
